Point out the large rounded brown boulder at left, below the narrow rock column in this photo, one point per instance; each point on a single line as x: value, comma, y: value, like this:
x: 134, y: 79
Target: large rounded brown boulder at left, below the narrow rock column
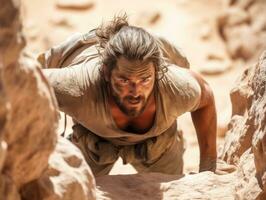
x: 30, y: 130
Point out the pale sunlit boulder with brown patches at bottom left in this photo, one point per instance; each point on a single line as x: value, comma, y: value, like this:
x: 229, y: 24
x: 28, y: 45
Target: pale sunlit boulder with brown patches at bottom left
x: 68, y: 176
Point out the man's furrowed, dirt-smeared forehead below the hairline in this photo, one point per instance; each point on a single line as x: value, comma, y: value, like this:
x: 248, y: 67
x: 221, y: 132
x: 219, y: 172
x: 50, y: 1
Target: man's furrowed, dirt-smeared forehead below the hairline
x: 134, y: 67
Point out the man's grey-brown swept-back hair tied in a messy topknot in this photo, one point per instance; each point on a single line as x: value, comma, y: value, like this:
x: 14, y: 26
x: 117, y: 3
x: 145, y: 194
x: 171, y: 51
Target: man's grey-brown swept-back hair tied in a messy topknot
x: 118, y: 38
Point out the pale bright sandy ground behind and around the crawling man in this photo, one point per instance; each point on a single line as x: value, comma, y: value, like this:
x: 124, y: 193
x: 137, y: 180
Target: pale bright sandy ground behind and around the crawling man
x: 191, y: 25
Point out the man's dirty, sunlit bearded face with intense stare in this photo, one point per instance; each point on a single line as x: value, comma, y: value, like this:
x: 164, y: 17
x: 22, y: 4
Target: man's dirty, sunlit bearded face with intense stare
x: 132, y: 83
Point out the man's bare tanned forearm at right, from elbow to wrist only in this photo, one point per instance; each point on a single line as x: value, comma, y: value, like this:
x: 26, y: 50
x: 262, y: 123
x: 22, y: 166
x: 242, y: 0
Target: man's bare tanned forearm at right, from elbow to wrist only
x: 205, y: 123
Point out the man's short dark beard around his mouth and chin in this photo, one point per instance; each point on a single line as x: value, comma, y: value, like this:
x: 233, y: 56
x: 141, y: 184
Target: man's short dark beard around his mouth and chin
x: 126, y: 104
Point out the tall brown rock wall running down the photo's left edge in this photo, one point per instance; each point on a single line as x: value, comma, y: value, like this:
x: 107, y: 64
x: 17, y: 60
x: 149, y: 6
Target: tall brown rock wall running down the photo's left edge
x: 29, y: 129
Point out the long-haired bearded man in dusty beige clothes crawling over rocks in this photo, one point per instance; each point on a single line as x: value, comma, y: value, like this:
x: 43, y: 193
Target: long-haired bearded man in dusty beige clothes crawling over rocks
x: 124, y: 91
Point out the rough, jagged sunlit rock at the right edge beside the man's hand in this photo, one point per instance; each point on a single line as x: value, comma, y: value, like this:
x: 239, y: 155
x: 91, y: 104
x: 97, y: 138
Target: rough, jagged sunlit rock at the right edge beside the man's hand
x: 248, y: 131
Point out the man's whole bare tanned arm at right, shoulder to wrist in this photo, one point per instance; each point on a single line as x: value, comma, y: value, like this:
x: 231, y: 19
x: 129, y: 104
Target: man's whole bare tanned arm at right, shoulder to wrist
x: 205, y: 121
